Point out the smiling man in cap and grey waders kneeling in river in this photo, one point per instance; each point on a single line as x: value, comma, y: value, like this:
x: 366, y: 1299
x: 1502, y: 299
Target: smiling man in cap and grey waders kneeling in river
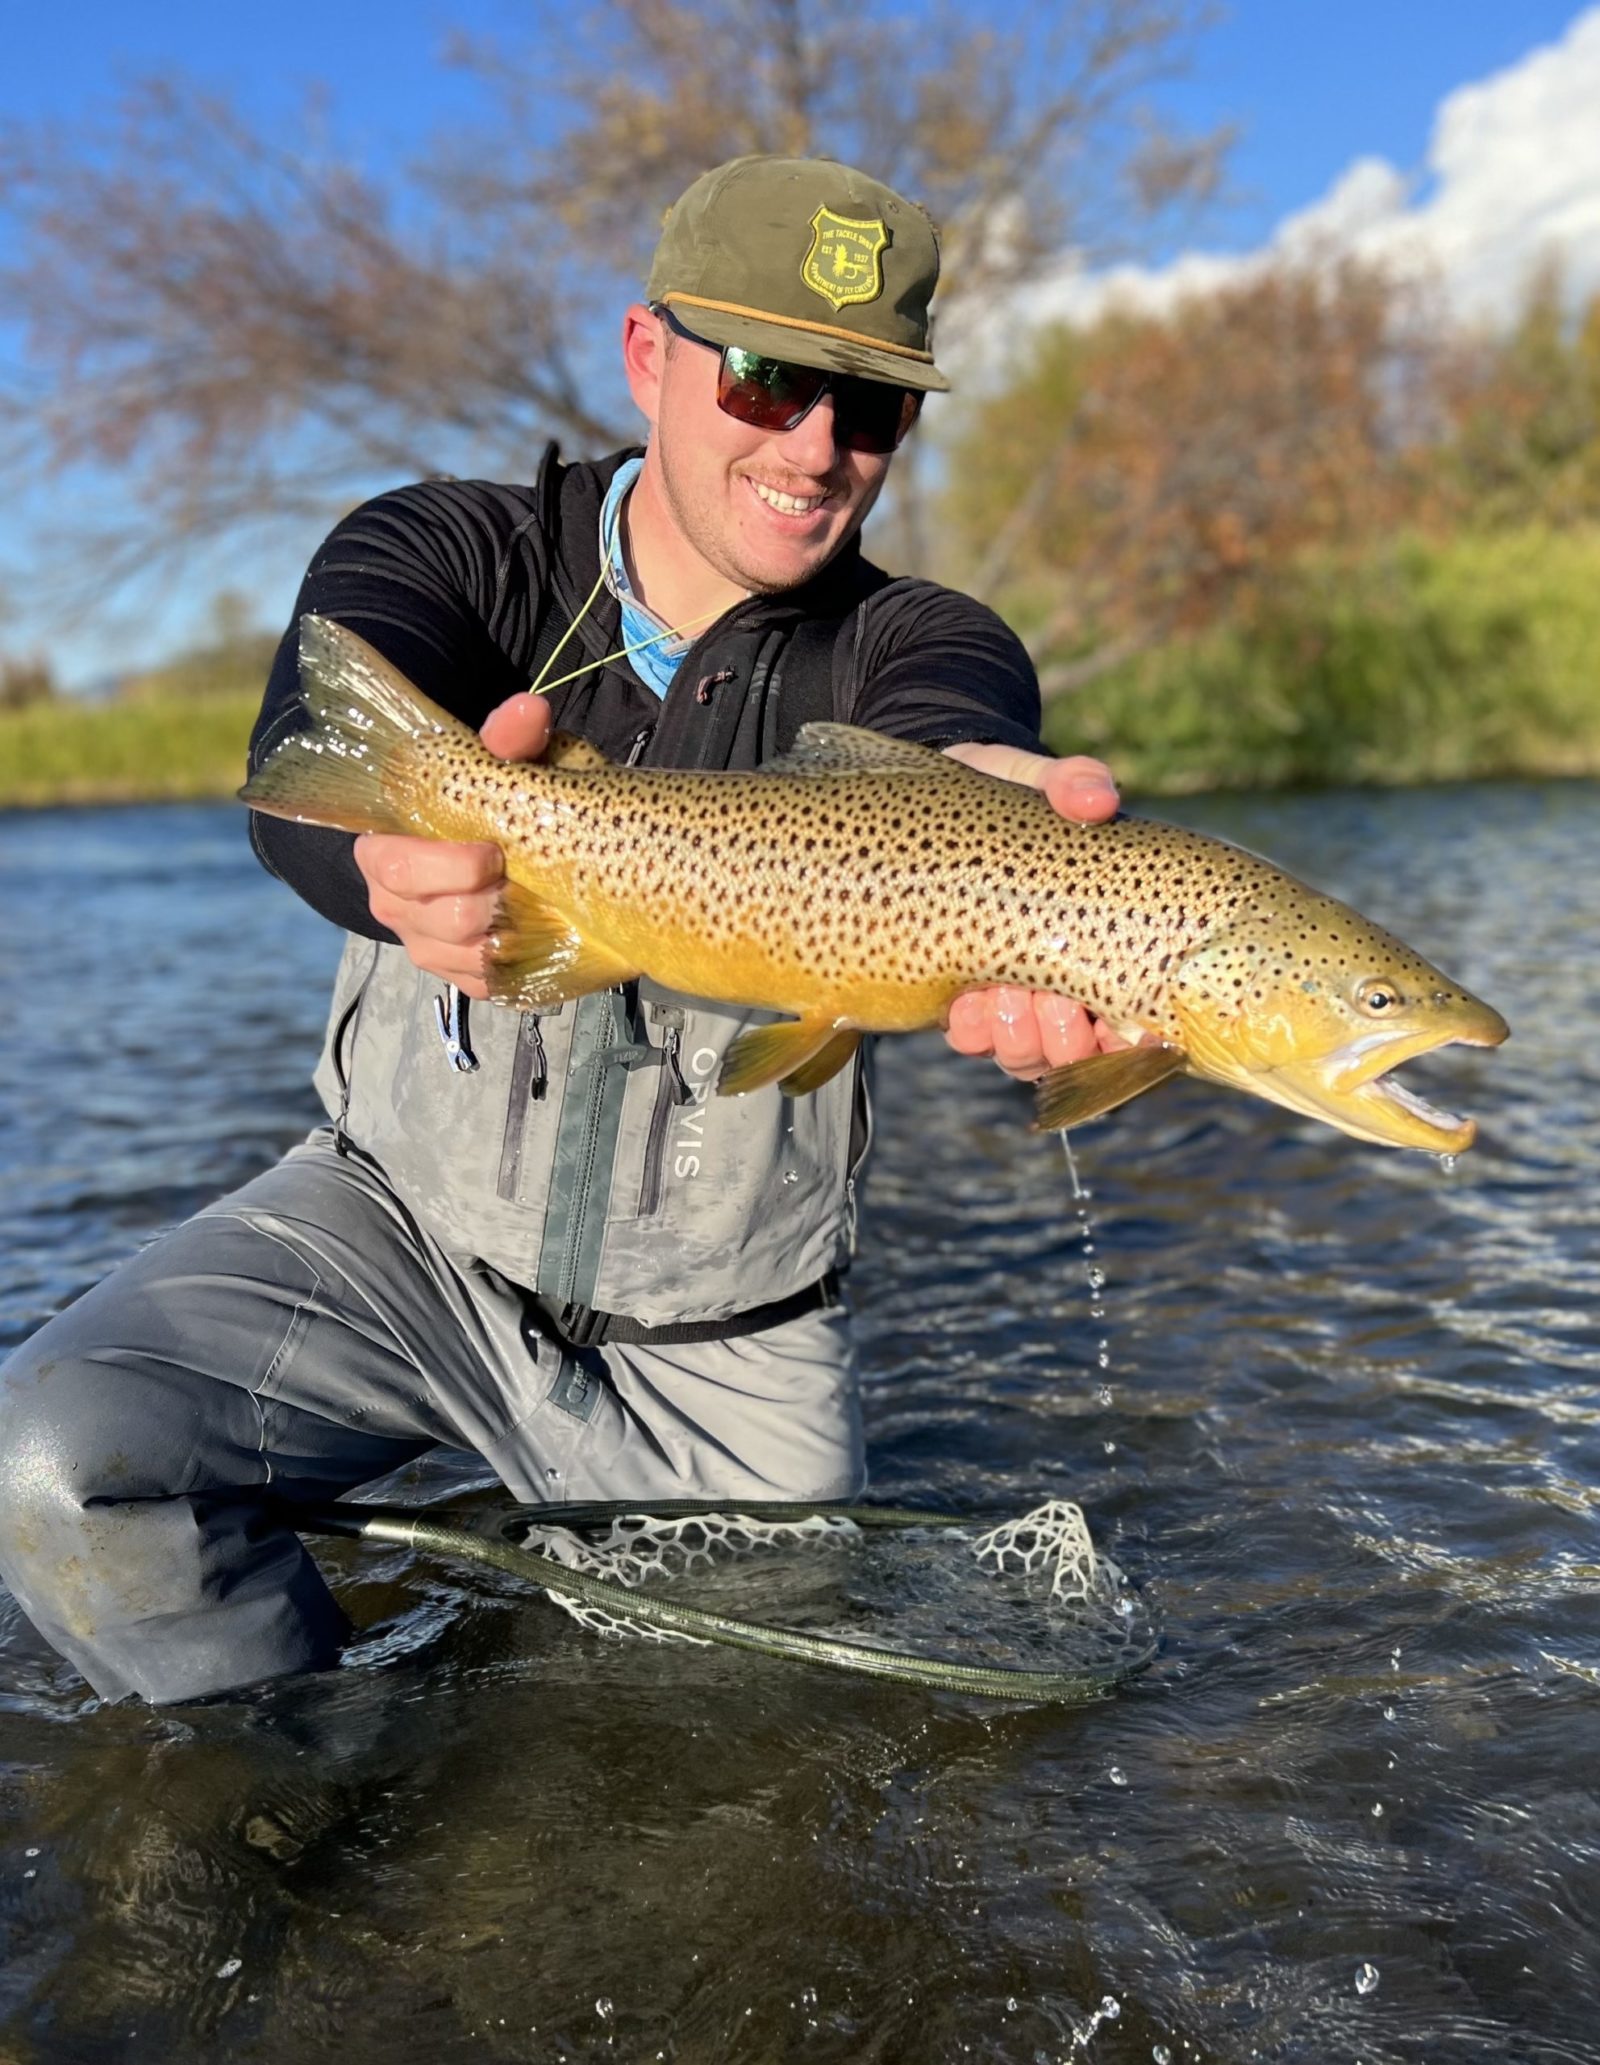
x: 540, y: 1236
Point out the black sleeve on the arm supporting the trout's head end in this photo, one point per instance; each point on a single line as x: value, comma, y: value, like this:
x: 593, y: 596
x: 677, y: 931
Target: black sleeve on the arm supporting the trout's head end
x: 942, y: 670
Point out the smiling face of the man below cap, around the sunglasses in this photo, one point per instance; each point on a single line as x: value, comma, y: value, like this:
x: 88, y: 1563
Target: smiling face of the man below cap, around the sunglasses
x: 763, y: 509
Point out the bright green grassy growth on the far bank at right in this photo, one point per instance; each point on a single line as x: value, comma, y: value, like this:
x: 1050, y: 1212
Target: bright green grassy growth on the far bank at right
x: 1421, y: 662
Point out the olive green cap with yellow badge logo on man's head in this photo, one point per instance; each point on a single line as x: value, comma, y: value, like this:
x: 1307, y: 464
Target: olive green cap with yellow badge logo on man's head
x: 804, y: 259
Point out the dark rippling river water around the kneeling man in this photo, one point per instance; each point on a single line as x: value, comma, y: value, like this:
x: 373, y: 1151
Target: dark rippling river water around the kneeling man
x: 1347, y: 1444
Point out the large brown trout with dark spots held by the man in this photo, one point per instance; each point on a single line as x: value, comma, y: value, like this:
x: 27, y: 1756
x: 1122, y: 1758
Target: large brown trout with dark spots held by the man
x: 860, y: 885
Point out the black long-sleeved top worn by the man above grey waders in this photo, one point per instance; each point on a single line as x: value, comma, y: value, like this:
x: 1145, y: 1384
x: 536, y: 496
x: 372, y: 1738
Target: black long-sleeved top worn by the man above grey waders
x: 455, y: 581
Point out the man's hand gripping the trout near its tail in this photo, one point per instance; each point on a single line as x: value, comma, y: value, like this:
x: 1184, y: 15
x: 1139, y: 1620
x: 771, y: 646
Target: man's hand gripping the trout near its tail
x: 439, y: 897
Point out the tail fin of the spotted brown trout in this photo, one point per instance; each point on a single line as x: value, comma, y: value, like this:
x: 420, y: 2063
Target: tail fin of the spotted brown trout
x: 348, y: 765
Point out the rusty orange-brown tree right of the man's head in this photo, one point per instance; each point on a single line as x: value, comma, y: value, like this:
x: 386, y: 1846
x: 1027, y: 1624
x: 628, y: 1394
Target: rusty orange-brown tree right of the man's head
x: 1153, y: 474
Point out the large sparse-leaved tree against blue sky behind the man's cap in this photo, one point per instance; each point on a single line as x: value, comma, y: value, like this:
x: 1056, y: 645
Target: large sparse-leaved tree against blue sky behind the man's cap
x: 255, y: 331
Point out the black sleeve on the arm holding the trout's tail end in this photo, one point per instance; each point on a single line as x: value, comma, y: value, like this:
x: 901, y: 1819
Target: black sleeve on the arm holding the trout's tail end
x: 418, y: 575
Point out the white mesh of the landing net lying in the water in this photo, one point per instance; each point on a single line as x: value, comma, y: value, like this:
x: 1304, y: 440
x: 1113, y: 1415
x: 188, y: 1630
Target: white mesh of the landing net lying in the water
x: 1029, y: 1593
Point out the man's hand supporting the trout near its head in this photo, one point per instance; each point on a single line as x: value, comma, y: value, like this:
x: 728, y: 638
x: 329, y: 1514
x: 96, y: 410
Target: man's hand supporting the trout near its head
x: 1031, y: 1031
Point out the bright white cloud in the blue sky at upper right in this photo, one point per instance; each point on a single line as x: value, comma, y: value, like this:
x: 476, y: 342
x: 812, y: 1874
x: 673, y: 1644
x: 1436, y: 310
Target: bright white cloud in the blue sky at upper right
x: 1512, y: 179
